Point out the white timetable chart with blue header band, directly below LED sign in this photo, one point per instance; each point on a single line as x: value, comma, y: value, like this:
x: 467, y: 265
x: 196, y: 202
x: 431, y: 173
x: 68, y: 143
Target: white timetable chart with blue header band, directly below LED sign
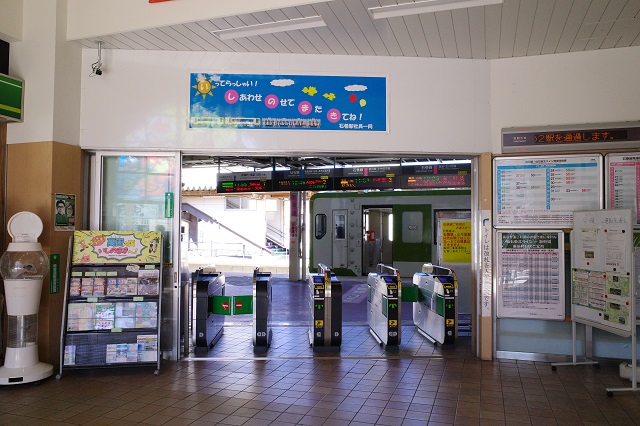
x: 545, y: 191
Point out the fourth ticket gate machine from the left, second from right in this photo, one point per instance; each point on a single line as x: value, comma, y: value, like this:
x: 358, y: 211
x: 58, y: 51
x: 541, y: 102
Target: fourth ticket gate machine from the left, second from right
x: 384, y: 317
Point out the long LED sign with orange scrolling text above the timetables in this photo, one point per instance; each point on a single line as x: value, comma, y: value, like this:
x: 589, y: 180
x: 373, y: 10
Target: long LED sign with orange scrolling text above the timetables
x: 571, y: 138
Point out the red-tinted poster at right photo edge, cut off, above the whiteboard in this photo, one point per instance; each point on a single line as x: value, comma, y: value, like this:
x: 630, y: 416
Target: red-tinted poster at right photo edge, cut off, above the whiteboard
x: 623, y: 183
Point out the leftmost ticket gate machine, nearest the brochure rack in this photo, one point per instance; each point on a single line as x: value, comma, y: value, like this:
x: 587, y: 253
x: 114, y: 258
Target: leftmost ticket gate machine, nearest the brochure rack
x: 208, y: 326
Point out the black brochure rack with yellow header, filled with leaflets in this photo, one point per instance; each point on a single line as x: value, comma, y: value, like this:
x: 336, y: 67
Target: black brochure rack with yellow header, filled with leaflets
x: 112, y: 300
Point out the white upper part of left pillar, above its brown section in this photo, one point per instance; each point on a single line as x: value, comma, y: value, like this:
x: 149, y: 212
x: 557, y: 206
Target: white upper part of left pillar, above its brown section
x: 50, y: 67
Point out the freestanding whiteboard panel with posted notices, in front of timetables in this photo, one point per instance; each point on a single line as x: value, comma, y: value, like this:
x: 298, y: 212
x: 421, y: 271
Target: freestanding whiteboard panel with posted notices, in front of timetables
x: 603, y: 274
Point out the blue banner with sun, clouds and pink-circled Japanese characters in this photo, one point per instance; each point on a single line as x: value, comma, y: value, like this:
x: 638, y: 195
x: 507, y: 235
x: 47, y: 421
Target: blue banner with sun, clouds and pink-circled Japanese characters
x: 288, y: 102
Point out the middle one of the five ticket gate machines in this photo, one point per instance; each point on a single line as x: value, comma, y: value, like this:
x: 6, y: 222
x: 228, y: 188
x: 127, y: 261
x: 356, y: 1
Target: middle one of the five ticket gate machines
x: 325, y: 309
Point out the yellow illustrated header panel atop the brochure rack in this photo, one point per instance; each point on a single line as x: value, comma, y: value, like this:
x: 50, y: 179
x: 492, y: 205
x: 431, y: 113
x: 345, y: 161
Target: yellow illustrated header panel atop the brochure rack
x: 95, y: 247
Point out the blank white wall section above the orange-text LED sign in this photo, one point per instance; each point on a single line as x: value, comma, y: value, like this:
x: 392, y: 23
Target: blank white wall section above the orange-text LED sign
x: 572, y: 88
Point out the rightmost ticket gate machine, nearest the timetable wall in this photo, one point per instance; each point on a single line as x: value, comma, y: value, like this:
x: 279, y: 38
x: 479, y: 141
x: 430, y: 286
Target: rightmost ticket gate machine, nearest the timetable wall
x: 434, y: 314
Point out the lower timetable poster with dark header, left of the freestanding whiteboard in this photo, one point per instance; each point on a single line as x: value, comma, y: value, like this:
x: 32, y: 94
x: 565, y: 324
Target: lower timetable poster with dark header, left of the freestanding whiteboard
x: 530, y: 274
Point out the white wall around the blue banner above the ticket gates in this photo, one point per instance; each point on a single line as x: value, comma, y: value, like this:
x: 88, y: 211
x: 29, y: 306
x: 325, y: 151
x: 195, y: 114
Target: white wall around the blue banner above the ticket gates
x: 141, y: 101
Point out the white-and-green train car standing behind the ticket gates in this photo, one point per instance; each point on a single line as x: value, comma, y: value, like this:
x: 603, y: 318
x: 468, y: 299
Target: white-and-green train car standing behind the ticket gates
x: 352, y: 232
